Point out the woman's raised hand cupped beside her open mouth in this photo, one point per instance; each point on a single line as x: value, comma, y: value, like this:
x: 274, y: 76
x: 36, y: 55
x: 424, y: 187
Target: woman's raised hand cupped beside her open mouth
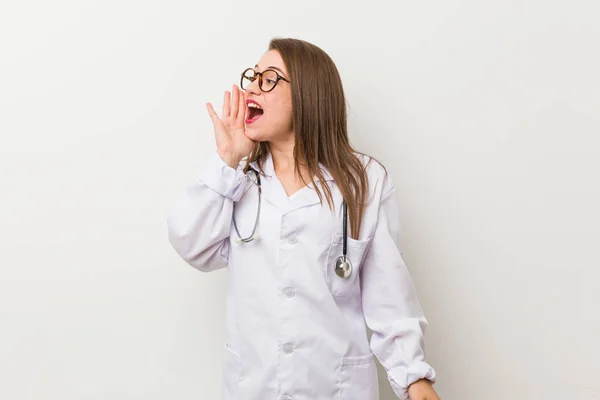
x: 232, y: 143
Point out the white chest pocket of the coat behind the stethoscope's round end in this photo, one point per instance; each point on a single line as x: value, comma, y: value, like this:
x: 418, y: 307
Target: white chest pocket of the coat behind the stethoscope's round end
x: 355, y: 251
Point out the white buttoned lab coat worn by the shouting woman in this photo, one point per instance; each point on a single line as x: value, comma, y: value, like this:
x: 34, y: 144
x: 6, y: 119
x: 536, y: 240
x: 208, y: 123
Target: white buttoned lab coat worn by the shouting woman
x: 294, y: 329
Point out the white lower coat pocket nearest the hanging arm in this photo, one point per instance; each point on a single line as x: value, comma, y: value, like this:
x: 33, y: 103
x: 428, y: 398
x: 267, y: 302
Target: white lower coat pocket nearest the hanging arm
x: 358, y: 378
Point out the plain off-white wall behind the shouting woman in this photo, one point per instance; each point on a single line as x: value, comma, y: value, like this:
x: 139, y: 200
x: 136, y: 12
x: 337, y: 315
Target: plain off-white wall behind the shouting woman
x: 485, y: 112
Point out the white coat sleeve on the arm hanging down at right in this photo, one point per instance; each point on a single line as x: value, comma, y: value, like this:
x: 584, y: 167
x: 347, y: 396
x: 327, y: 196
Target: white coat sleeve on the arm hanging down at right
x: 390, y: 303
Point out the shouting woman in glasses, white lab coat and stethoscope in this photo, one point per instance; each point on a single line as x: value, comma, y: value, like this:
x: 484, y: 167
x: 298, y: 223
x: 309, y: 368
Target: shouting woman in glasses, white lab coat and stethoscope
x: 300, y: 287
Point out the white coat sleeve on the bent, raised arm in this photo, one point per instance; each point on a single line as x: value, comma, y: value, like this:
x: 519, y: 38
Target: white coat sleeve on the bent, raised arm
x: 200, y: 221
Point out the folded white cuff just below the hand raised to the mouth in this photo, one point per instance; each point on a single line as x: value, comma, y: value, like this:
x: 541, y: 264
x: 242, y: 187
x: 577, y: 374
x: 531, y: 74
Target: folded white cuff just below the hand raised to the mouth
x: 223, y: 179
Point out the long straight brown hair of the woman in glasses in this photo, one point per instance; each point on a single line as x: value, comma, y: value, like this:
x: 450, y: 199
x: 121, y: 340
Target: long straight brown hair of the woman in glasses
x: 320, y: 125
